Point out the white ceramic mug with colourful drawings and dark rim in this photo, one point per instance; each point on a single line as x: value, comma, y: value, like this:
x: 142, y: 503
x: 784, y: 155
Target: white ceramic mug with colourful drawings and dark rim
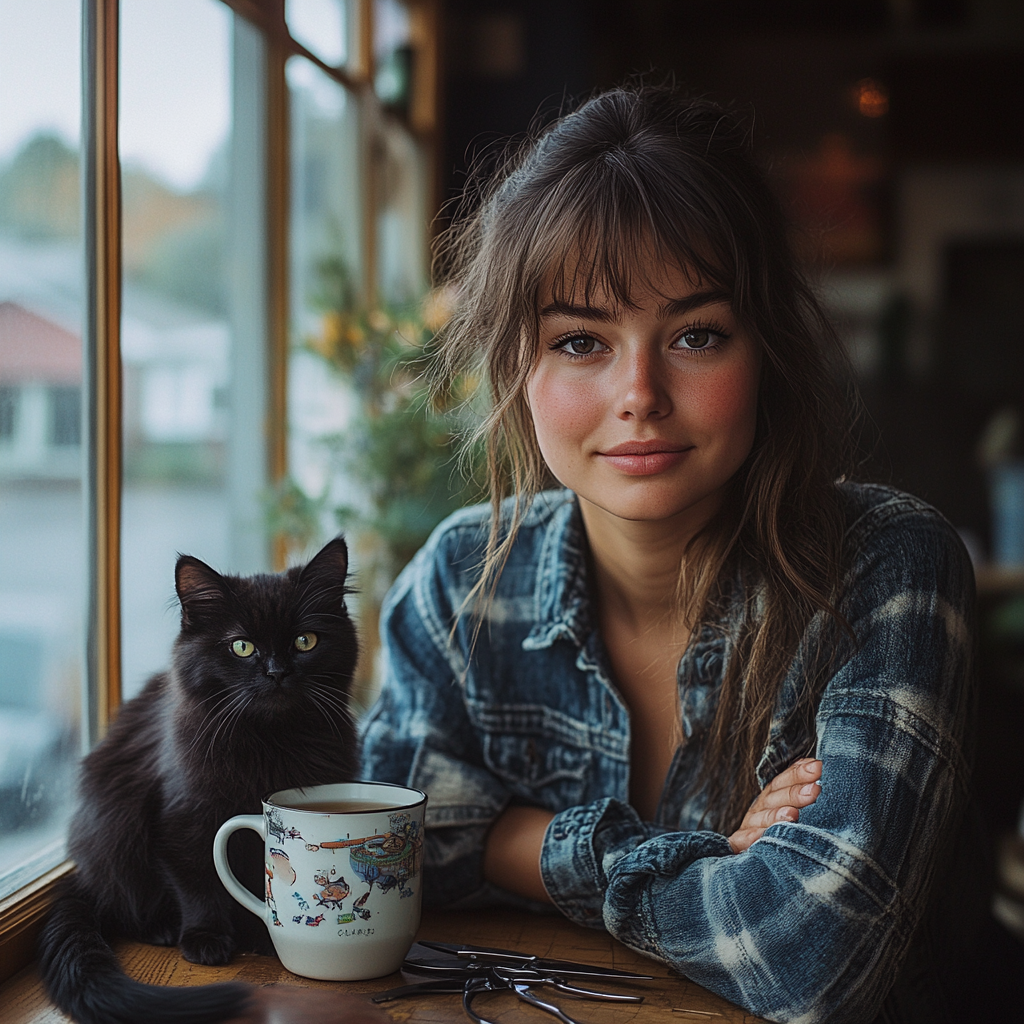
x: 344, y: 884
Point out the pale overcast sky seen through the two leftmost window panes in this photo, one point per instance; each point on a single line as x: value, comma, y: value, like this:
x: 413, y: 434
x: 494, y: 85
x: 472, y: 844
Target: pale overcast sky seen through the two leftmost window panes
x: 176, y: 80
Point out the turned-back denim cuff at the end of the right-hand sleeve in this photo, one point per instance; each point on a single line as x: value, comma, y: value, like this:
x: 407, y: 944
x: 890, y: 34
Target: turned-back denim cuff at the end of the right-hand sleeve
x: 580, y: 847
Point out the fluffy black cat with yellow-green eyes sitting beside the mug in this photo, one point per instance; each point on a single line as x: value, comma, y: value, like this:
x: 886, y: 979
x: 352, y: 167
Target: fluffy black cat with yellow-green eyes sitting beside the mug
x: 257, y: 701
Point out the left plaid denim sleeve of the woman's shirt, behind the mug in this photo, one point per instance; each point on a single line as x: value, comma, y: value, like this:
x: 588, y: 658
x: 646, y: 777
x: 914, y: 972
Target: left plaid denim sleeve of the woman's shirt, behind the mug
x: 418, y: 734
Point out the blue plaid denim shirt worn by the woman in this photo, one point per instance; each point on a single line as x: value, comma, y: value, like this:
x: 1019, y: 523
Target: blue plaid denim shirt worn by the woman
x: 824, y: 920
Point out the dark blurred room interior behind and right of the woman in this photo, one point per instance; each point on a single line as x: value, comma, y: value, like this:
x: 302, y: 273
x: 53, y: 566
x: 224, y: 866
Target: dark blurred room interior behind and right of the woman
x: 894, y: 132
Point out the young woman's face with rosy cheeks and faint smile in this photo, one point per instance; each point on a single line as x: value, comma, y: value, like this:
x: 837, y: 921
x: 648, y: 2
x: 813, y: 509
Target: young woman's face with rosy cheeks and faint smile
x: 647, y: 413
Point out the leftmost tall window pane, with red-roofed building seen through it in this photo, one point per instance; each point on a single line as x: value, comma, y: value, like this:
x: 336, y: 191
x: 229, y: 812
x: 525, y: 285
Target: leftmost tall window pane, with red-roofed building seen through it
x: 42, y: 538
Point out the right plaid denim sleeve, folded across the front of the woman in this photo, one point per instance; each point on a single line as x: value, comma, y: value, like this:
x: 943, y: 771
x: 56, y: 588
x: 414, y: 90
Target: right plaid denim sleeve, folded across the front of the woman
x: 812, y: 924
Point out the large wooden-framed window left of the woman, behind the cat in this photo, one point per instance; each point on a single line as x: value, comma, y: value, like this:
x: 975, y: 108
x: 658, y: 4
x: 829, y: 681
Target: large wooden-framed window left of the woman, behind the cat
x: 147, y: 382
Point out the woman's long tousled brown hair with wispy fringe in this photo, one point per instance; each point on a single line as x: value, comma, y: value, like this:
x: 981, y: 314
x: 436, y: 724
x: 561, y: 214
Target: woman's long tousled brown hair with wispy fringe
x: 644, y: 172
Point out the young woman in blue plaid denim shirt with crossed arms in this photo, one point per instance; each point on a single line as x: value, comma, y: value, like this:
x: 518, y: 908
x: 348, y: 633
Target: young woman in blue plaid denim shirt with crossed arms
x: 707, y: 695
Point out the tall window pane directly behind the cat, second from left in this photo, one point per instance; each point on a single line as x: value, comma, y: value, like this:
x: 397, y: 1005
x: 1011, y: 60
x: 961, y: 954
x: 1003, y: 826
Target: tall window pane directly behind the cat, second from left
x: 176, y: 135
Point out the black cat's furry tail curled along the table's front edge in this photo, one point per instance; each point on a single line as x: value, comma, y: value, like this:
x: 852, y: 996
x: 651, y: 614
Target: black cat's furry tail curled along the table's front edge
x: 83, y: 976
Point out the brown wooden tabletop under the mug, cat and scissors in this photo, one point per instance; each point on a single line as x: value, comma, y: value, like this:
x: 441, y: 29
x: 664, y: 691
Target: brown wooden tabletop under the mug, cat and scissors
x: 668, y: 999
